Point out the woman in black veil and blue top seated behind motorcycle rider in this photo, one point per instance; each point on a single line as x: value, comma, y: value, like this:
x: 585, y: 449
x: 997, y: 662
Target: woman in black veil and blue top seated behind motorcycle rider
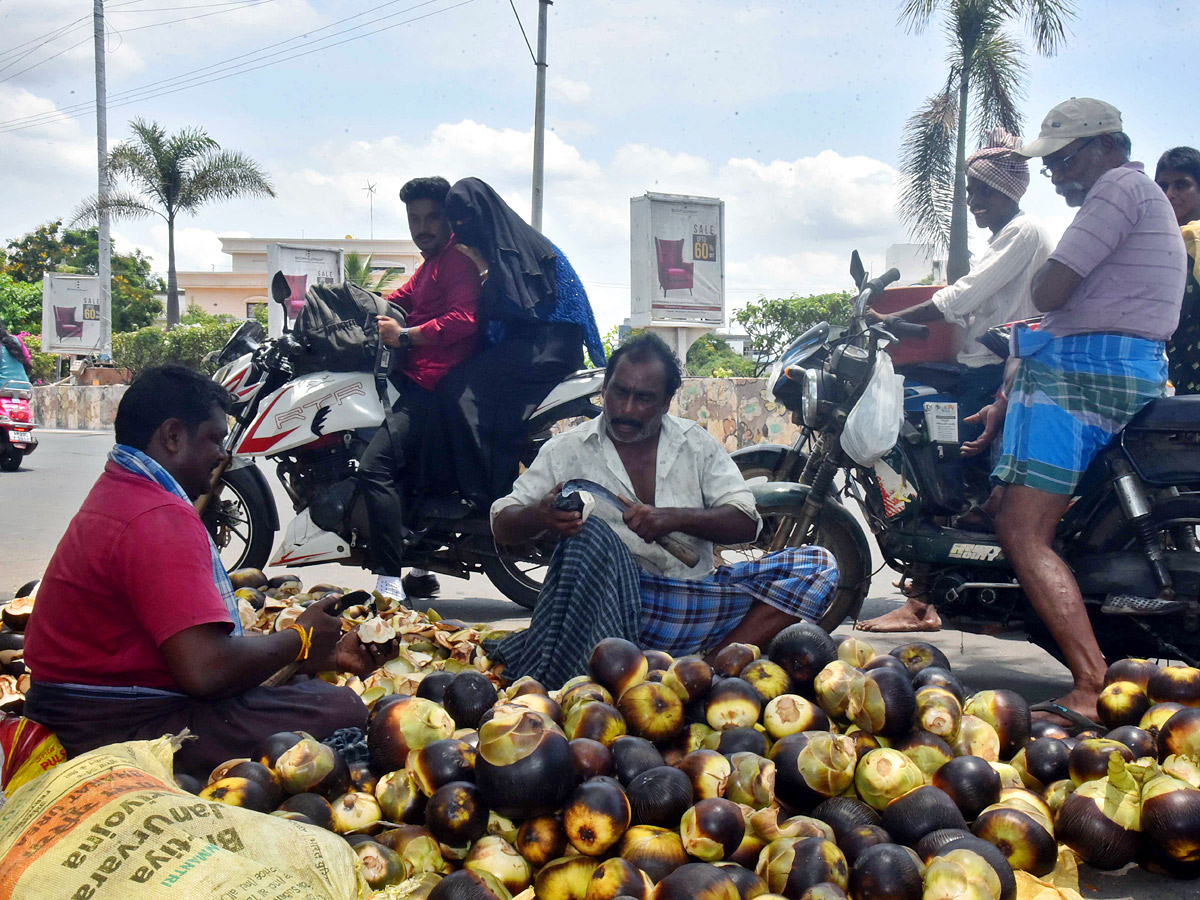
x: 537, y: 321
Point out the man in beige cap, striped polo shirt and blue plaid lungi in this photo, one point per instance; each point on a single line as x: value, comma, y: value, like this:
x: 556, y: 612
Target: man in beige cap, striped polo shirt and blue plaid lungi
x: 1111, y: 293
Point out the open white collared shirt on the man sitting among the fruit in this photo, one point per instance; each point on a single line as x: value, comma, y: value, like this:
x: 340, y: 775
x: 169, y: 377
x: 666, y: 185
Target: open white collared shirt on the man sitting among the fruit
x: 693, y: 471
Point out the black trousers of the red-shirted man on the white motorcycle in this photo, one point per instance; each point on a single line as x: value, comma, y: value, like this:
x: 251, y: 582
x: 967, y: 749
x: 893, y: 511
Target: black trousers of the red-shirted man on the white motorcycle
x: 387, y: 470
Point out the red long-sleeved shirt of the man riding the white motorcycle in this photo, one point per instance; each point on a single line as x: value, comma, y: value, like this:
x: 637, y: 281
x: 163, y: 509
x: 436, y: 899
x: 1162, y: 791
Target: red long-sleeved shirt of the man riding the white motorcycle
x: 443, y: 299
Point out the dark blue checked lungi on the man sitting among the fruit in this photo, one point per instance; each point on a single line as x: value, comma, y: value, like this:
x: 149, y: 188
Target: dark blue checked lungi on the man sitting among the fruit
x: 596, y: 590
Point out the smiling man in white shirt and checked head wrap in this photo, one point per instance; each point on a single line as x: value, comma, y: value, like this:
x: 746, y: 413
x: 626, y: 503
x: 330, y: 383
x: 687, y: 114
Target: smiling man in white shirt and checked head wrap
x: 994, y: 292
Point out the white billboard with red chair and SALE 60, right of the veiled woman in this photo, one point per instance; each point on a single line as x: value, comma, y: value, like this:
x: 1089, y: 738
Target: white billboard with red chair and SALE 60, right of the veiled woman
x: 677, y: 260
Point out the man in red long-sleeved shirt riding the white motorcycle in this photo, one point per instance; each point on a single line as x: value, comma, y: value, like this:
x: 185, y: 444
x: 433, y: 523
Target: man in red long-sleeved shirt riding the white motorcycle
x: 441, y: 305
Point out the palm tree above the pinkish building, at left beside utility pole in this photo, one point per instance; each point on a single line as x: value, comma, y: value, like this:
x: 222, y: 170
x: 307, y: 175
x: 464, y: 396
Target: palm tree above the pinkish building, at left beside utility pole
x: 172, y: 175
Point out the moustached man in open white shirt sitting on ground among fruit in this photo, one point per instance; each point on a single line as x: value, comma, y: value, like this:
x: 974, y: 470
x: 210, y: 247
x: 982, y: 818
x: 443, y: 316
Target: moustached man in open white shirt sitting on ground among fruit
x: 609, y: 578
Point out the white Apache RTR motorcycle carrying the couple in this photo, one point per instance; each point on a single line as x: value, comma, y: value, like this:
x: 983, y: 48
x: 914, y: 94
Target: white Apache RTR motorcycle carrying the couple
x: 315, y: 429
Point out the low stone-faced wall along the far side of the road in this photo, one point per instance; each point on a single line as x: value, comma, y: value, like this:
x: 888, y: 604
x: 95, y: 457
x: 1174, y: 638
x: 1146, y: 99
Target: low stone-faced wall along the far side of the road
x: 735, y: 411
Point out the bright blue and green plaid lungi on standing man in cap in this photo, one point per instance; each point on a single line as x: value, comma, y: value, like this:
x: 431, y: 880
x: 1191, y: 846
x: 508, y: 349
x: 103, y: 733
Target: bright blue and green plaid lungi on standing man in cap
x: 1071, y: 397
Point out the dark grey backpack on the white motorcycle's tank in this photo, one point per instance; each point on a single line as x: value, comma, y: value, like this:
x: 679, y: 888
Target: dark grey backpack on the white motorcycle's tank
x: 337, y: 329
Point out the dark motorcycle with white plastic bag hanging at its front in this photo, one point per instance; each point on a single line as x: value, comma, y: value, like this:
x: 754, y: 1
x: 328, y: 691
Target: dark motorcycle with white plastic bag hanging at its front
x: 1130, y: 537
